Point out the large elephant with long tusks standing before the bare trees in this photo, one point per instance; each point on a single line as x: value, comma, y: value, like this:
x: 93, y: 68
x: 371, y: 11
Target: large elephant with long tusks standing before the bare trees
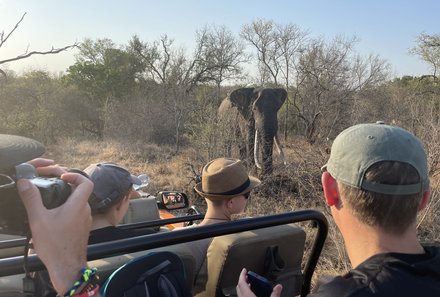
x: 252, y: 113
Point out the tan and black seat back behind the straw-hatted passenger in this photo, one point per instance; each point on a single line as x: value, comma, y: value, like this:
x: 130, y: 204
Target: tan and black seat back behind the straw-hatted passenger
x: 281, y: 246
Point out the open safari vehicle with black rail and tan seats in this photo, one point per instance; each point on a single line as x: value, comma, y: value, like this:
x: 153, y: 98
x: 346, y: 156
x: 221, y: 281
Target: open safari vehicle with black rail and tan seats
x: 272, y: 246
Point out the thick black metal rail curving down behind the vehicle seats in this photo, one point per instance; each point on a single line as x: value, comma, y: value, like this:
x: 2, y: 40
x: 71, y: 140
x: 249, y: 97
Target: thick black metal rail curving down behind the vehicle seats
x: 14, y: 265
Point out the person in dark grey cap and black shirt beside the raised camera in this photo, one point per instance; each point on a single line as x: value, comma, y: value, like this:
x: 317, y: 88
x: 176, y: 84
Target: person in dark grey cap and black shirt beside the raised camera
x: 109, y: 201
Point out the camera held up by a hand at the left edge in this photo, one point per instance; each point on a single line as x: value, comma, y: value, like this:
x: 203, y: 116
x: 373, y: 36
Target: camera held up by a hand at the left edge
x: 13, y: 218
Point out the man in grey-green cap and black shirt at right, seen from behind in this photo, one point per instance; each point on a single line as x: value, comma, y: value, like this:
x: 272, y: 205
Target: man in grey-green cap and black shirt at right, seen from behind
x: 375, y: 182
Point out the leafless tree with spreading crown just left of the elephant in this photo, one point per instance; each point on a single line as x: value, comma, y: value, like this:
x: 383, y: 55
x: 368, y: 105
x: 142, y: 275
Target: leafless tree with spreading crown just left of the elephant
x: 216, y: 57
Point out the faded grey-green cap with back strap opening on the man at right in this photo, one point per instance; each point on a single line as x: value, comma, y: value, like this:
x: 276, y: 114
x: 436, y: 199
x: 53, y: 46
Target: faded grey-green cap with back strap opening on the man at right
x: 357, y: 148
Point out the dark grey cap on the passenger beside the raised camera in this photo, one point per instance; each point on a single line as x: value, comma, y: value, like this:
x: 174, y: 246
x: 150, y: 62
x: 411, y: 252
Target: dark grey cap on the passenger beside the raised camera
x: 111, y: 182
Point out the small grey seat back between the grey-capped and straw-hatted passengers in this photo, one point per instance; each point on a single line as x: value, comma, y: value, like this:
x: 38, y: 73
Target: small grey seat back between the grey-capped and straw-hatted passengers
x: 141, y: 210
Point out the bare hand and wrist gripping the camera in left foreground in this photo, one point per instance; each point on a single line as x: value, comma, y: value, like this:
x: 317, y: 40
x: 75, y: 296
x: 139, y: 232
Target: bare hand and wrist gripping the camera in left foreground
x: 60, y: 235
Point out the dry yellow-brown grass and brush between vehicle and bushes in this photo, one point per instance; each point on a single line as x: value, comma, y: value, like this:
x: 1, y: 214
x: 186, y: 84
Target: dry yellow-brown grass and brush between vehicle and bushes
x: 292, y: 187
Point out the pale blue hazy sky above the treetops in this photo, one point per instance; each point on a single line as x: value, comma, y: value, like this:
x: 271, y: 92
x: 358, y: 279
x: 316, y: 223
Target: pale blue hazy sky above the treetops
x: 386, y: 28
